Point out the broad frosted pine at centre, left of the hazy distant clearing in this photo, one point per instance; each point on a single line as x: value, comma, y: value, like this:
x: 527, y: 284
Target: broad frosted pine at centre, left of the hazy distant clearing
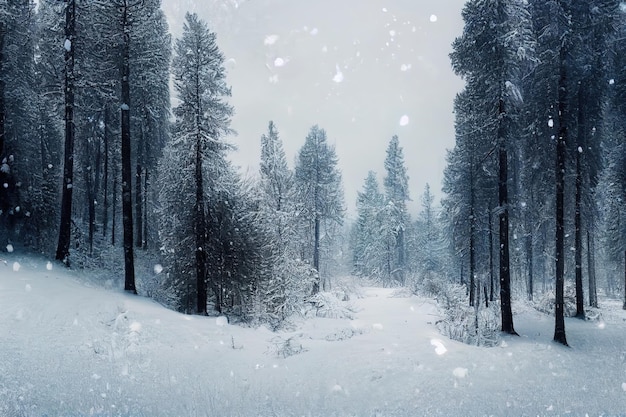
x: 319, y: 194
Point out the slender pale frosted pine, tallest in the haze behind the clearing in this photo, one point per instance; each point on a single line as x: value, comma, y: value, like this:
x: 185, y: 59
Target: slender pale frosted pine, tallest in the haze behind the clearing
x: 396, y: 184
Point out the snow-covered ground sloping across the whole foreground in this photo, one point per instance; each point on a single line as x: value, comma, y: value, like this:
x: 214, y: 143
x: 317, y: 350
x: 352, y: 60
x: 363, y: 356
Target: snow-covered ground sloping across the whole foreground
x: 70, y: 347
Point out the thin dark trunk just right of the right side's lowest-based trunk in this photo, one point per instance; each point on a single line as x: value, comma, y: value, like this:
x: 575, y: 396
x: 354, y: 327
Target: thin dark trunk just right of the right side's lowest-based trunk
x: 578, y: 244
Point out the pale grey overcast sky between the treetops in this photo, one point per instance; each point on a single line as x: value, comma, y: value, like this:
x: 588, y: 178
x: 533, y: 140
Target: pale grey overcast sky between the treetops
x: 363, y: 70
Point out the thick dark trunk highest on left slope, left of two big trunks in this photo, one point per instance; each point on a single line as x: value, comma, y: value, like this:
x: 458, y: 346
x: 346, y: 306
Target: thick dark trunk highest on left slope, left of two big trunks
x: 65, y: 228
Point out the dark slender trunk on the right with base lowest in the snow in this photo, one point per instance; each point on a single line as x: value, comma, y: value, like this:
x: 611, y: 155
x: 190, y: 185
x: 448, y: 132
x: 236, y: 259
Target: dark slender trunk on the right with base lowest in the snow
x: 561, y: 150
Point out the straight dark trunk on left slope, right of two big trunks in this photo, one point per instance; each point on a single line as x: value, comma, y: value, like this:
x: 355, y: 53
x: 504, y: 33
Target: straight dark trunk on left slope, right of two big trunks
x: 127, y: 203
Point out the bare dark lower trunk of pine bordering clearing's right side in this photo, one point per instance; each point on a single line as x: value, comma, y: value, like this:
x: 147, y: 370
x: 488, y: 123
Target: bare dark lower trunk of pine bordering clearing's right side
x: 505, y: 273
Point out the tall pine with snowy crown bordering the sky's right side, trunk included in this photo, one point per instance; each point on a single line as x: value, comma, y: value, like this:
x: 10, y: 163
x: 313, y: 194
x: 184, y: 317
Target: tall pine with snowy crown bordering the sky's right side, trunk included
x: 494, y: 52
